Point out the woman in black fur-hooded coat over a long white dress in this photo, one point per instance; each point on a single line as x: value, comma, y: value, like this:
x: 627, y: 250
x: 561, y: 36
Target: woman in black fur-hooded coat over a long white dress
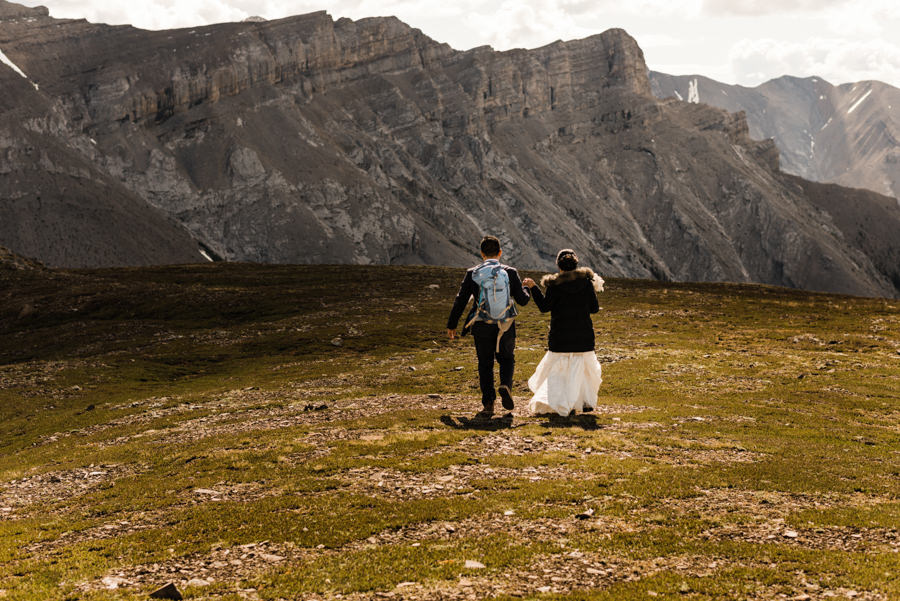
x: 569, y: 375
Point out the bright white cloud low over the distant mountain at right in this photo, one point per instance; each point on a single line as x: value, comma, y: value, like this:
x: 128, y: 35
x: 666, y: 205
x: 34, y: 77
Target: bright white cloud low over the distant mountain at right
x: 834, y: 59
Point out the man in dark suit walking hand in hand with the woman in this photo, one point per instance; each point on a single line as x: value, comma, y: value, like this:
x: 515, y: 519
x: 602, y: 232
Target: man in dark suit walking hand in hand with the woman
x: 487, y: 347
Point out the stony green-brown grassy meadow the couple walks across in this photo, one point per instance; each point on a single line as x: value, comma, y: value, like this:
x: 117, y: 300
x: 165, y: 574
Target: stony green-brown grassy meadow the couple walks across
x: 289, y: 432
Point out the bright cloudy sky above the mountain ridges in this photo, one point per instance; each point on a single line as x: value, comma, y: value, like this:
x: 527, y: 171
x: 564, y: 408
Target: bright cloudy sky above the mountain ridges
x: 742, y: 42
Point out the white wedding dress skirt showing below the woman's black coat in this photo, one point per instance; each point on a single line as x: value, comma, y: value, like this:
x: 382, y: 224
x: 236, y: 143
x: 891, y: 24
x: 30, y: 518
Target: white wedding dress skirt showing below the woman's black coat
x: 565, y: 381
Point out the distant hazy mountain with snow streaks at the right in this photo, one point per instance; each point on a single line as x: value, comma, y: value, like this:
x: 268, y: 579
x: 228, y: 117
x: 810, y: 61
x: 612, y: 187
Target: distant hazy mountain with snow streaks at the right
x: 847, y: 134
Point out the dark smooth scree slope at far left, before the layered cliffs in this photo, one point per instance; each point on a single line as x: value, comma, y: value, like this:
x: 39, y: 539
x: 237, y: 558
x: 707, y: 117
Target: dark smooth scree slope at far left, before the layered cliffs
x: 58, y: 206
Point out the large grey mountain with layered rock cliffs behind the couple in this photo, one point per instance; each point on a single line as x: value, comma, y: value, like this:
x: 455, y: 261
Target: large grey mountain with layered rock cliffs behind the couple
x: 309, y: 140
